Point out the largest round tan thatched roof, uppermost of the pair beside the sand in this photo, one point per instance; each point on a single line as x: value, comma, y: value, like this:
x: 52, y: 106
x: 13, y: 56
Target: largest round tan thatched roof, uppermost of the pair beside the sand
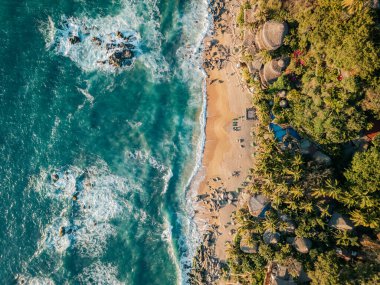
x: 271, y: 35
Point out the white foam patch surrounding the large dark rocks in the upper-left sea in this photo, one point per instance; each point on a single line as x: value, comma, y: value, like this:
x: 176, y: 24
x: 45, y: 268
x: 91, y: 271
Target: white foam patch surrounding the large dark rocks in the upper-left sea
x: 137, y: 19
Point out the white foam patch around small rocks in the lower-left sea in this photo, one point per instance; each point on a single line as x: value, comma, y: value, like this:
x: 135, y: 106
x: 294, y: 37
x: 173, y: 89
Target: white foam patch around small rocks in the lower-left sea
x: 89, y: 200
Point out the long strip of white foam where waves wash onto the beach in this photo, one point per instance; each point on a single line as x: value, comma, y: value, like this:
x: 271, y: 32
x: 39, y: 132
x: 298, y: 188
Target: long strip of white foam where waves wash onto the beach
x: 196, y: 24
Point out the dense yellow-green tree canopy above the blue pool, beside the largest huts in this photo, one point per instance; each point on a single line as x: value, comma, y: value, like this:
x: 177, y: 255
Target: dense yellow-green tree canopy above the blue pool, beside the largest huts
x: 334, y: 68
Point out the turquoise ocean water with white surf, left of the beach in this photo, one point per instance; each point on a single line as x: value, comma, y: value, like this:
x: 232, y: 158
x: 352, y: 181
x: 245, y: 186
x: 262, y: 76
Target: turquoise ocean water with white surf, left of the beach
x: 124, y: 142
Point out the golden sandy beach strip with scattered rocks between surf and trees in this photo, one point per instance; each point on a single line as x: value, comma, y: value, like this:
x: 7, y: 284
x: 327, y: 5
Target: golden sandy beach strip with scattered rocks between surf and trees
x: 227, y: 154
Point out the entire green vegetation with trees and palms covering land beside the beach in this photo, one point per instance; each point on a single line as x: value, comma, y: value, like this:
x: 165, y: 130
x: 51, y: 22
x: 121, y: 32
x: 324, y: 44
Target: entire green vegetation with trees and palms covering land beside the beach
x: 333, y: 94
